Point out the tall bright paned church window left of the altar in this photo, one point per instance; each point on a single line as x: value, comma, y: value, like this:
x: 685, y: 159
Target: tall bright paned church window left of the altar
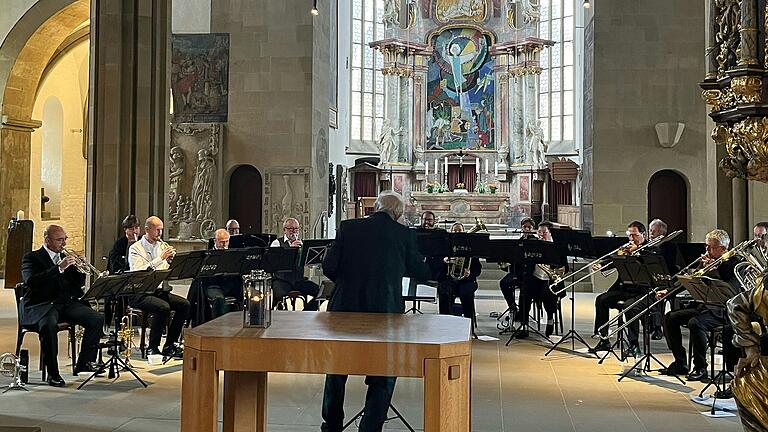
x: 367, y: 82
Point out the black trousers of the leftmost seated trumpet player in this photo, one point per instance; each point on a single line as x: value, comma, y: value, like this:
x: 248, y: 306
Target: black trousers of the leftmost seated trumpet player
x: 73, y: 313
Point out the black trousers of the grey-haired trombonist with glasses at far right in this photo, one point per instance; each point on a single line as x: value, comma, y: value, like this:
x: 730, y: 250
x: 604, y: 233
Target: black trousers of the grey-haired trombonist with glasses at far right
x: 700, y: 321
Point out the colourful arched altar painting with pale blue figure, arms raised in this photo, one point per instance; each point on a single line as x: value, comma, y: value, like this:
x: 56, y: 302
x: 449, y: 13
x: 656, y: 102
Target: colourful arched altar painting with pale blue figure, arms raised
x: 460, y: 89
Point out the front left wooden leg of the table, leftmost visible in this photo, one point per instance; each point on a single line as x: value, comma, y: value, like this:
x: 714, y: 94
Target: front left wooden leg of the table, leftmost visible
x: 199, y: 392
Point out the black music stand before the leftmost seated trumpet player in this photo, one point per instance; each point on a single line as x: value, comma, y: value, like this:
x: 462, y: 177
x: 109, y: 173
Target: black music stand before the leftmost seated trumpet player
x: 112, y: 288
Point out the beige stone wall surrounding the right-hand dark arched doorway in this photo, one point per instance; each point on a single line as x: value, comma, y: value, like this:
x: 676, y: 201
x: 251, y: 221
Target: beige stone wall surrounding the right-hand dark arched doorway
x: 647, y: 65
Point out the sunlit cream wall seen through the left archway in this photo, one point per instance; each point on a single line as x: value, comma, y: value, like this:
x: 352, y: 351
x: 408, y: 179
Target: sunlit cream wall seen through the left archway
x: 66, y: 80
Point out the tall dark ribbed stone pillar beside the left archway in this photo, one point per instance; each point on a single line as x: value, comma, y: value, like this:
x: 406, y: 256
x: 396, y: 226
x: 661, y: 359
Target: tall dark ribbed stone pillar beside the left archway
x: 128, y: 124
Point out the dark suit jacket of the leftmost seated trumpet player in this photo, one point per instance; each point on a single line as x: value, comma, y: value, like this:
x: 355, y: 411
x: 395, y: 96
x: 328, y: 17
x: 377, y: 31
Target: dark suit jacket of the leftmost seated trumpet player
x: 44, y: 285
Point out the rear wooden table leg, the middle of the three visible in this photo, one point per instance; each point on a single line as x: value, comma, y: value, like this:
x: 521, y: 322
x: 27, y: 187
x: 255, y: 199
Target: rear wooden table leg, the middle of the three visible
x: 245, y: 401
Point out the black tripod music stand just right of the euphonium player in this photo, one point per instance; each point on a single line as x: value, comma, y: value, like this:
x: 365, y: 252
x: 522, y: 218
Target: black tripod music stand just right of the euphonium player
x: 530, y: 252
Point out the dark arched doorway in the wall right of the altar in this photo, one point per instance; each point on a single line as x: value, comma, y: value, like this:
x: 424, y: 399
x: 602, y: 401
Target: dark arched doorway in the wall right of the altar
x: 668, y: 199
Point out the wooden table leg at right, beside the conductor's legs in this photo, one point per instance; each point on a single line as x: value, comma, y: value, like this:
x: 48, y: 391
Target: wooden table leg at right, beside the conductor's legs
x: 447, y: 394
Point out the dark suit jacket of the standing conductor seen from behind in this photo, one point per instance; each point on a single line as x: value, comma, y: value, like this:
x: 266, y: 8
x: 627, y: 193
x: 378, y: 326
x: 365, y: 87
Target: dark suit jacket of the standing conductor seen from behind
x: 367, y: 263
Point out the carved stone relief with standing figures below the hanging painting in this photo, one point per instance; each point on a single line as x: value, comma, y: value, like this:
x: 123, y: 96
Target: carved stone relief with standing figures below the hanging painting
x: 195, y: 179
